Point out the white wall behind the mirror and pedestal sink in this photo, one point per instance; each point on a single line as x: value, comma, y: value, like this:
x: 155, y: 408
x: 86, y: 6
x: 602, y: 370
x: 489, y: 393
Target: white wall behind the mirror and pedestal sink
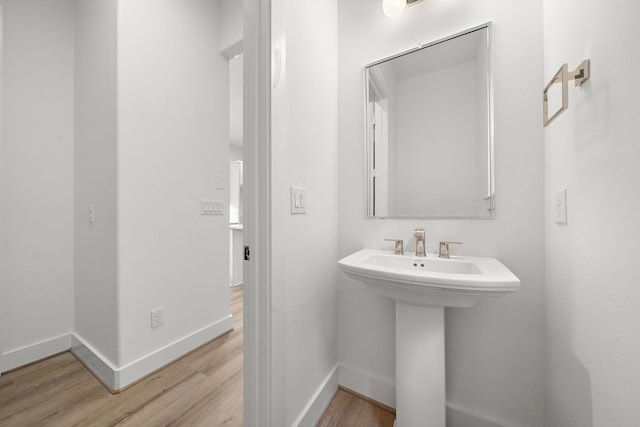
x: 495, y: 360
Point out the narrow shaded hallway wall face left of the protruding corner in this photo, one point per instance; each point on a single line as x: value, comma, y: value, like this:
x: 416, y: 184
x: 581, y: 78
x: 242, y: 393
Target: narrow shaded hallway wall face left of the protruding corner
x: 95, y: 178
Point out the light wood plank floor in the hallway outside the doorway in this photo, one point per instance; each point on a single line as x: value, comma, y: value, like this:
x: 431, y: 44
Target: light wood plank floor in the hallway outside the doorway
x: 203, y: 388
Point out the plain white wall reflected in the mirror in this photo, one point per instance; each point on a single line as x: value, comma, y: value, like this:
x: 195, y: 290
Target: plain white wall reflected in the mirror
x: 440, y: 102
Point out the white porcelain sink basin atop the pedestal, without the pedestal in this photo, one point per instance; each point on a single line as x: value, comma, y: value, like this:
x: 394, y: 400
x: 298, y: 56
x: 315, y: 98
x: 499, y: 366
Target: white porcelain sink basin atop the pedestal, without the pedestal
x: 430, y: 281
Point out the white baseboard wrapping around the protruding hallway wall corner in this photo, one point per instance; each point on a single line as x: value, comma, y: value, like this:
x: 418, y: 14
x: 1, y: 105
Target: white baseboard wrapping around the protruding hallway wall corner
x: 118, y: 378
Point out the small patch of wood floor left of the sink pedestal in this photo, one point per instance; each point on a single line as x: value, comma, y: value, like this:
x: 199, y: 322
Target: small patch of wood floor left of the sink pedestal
x: 348, y: 409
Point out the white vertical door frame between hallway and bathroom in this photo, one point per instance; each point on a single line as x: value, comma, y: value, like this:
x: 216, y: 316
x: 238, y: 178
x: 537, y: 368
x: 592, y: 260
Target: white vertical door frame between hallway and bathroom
x: 257, y: 212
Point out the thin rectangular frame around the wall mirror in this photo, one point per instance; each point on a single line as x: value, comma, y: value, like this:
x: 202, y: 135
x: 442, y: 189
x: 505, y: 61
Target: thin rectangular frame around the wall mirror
x: 491, y: 197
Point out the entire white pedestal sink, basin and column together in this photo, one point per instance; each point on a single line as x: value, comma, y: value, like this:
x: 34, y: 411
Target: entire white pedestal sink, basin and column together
x: 422, y: 287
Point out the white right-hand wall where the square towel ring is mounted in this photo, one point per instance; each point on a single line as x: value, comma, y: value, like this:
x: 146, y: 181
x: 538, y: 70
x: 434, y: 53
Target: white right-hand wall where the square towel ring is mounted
x: 592, y: 292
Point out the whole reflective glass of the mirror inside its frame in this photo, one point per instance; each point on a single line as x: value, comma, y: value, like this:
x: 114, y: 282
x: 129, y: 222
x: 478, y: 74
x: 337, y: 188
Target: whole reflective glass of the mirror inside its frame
x: 429, y: 131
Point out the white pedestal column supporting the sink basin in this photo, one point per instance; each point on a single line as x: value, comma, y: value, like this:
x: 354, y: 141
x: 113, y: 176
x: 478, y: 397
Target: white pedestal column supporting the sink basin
x: 420, y: 366
